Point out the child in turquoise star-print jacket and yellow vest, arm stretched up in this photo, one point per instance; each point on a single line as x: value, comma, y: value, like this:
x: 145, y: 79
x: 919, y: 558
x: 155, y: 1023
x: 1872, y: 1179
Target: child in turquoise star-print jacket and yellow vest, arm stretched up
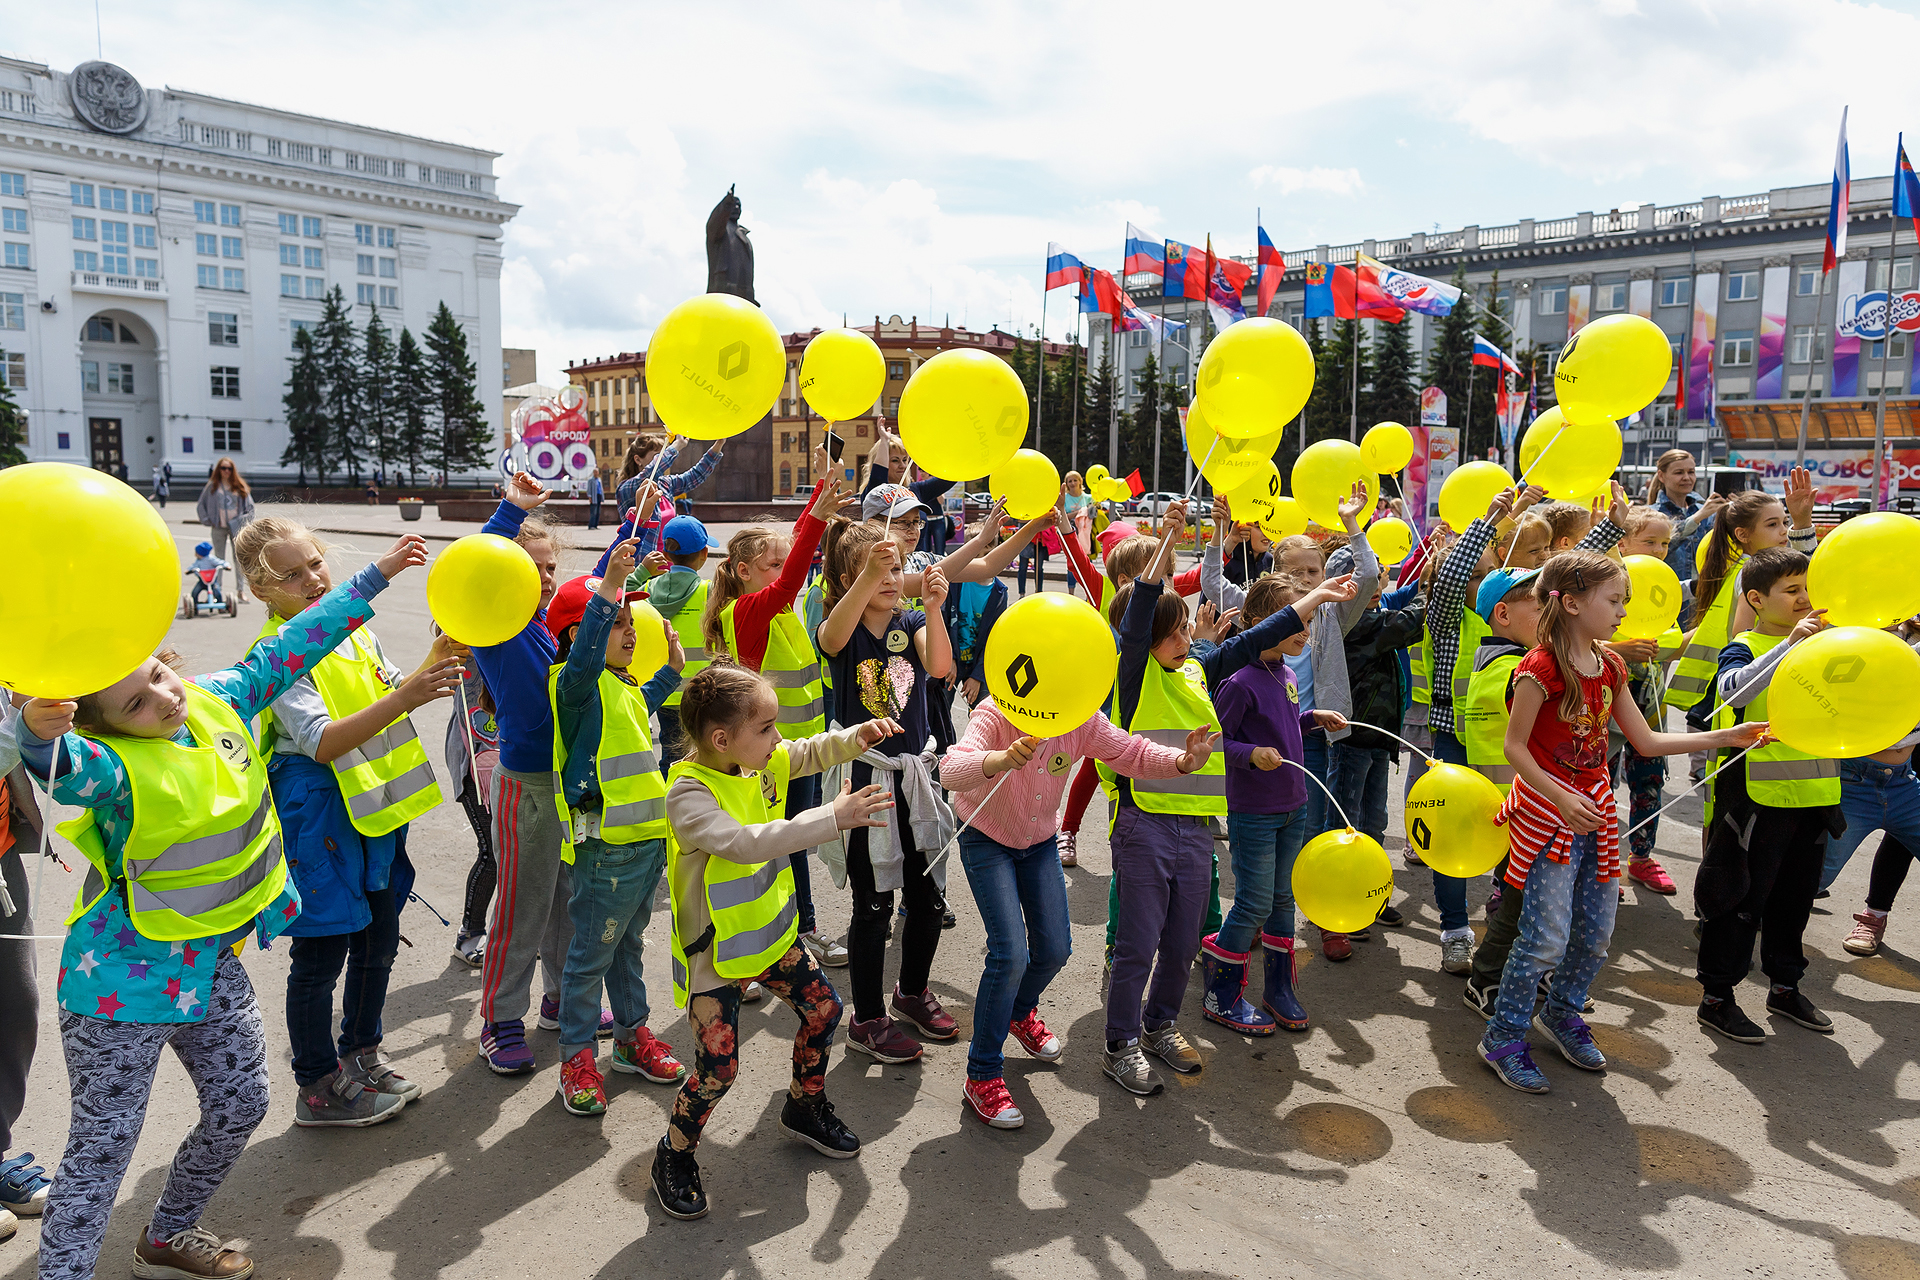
x: 166, y: 765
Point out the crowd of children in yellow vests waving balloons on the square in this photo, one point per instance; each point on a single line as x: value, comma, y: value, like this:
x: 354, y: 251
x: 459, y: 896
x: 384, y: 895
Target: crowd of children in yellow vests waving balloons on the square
x: 811, y: 711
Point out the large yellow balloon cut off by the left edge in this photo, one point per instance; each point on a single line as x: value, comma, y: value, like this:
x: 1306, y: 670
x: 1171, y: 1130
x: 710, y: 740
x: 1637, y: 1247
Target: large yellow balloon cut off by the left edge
x: 93, y: 581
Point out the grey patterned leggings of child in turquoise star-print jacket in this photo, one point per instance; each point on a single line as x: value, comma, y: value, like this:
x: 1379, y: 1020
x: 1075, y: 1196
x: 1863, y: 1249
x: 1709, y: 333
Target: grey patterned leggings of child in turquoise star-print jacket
x: 112, y: 1070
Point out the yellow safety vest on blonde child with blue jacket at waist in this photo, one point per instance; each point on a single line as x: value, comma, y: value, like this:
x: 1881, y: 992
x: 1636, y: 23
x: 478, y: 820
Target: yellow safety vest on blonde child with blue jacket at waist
x: 387, y: 782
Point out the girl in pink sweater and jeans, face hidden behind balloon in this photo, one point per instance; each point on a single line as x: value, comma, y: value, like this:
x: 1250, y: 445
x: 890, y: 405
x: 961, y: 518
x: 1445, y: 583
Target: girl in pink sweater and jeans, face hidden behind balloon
x: 1013, y: 865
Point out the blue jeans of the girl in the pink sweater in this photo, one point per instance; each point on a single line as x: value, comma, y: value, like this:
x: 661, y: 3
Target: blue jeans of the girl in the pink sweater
x: 1022, y: 897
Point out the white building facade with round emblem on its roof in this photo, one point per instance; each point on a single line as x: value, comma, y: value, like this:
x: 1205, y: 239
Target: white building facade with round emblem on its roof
x: 160, y: 250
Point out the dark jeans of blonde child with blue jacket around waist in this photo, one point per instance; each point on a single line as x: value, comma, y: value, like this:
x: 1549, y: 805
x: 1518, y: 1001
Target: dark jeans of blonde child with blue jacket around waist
x: 310, y: 989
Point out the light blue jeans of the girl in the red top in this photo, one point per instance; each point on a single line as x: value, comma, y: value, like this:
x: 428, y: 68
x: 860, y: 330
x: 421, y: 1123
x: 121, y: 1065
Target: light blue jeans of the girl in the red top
x: 1566, y: 926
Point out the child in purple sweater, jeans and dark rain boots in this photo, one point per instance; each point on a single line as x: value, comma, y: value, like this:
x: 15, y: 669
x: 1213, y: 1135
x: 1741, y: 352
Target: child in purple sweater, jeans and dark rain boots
x: 1262, y: 726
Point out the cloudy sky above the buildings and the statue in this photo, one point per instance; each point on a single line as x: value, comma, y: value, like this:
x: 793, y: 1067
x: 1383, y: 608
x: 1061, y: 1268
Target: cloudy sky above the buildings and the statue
x: 917, y: 158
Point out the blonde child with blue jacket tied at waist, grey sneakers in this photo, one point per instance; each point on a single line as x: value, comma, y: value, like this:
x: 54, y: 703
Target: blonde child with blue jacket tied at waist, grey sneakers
x: 350, y: 776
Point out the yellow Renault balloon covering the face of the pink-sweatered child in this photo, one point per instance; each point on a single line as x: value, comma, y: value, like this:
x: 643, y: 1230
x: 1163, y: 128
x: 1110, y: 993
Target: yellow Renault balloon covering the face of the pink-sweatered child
x: 1051, y: 663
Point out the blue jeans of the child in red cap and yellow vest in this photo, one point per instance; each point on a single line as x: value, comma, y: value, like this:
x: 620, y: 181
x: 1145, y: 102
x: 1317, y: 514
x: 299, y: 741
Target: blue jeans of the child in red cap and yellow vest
x: 612, y: 907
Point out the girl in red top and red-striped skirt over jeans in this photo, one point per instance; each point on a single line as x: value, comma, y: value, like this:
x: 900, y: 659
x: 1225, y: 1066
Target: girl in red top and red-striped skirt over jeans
x: 1566, y: 830
